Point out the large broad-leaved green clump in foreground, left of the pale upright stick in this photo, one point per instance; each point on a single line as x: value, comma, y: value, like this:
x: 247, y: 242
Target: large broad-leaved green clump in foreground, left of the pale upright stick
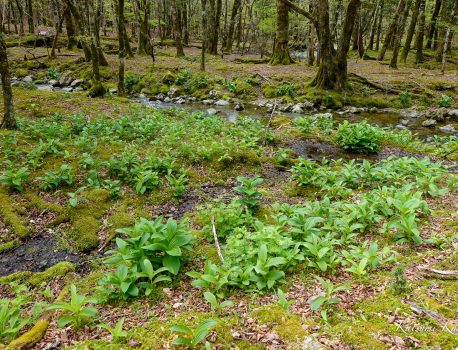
x: 151, y: 251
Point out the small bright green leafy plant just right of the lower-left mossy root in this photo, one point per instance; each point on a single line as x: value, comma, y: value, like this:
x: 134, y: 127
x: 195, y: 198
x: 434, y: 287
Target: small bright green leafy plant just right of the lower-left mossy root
x: 76, y: 312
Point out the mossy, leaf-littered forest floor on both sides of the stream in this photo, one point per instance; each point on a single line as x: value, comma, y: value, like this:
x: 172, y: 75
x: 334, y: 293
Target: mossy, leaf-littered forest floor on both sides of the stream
x: 101, y: 141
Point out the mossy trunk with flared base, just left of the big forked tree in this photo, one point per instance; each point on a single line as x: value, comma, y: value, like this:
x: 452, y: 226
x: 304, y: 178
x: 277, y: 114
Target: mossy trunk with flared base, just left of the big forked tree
x: 280, y: 53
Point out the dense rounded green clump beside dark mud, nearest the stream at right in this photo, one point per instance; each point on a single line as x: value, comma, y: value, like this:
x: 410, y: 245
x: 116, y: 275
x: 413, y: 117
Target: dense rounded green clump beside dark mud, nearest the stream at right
x: 358, y: 137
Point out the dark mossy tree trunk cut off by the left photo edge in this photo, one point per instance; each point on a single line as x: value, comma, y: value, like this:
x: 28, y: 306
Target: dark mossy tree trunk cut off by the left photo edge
x: 8, y: 122
